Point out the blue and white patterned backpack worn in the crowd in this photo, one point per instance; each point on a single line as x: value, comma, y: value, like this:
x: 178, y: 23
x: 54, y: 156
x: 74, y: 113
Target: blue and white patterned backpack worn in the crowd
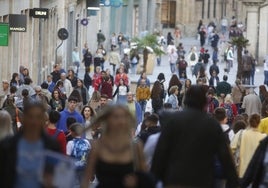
x: 80, y: 152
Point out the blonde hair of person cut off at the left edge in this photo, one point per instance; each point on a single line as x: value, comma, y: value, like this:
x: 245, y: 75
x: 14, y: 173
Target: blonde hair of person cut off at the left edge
x: 6, y: 124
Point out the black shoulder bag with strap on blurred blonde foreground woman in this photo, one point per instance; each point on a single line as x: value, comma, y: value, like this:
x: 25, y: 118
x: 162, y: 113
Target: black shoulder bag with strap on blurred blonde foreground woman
x: 144, y: 179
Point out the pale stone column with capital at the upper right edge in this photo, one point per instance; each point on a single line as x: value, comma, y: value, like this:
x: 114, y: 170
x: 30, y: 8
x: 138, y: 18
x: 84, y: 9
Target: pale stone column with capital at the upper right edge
x: 252, y: 15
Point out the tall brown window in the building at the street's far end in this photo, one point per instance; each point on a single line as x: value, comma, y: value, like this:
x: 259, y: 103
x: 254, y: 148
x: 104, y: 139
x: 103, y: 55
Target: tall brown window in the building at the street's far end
x: 168, y: 13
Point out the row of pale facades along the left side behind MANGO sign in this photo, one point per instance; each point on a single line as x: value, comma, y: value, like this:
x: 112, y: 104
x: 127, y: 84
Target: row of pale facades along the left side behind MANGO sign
x: 36, y: 48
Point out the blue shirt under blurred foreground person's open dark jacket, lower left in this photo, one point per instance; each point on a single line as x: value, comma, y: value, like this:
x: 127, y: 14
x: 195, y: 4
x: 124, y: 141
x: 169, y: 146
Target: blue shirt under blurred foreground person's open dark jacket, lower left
x: 29, y: 164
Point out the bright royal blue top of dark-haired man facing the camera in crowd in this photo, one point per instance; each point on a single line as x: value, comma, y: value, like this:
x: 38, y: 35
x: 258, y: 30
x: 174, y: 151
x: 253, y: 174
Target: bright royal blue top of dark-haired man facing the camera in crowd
x: 64, y: 115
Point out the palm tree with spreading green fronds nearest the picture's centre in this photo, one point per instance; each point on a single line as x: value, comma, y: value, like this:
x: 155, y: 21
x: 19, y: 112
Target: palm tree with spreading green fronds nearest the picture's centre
x: 147, y: 44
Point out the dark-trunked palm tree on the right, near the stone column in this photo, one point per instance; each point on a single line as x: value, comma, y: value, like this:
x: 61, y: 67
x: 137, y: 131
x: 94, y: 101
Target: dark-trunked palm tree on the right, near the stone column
x: 240, y: 43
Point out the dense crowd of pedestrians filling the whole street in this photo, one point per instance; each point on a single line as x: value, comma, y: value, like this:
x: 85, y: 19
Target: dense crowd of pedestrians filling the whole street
x: 112, y: 138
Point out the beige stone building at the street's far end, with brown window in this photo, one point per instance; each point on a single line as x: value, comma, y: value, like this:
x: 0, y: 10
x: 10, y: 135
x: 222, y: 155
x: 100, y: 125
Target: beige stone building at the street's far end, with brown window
x: 186, y: 14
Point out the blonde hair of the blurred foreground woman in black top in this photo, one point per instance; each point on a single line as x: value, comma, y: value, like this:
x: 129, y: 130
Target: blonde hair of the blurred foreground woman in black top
x: 101, y: 119
